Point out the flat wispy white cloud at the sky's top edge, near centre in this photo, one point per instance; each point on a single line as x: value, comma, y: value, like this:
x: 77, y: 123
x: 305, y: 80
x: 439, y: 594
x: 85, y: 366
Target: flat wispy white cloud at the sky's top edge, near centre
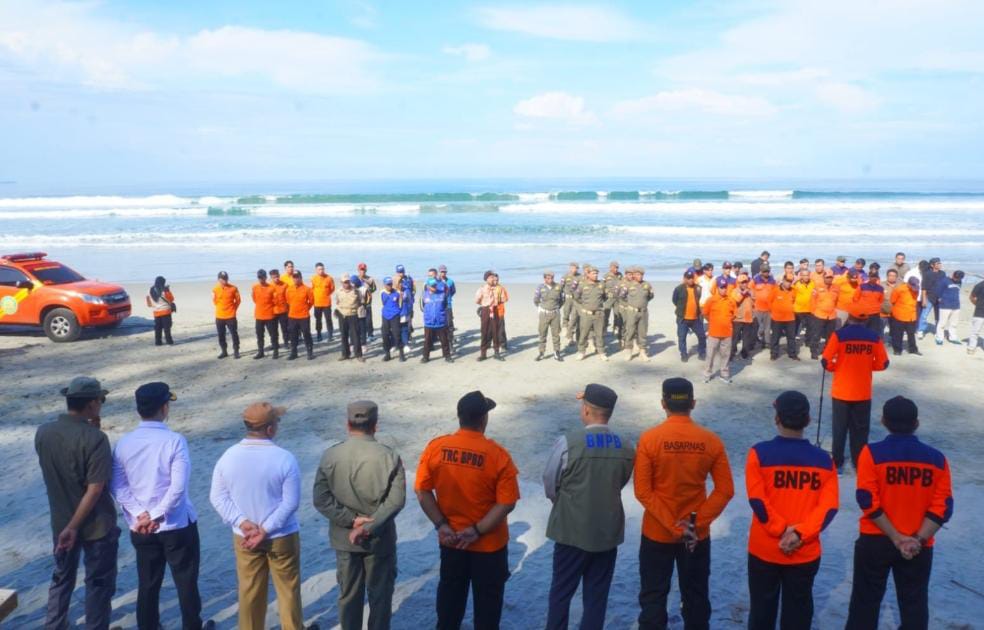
x: 567, y: 22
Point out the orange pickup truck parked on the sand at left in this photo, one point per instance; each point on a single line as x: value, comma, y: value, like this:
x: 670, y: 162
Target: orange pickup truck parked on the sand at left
x: 35, y: 291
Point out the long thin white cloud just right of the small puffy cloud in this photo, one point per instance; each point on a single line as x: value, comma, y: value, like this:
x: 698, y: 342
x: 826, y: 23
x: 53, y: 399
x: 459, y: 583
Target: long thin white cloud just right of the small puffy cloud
x: 696, y: 99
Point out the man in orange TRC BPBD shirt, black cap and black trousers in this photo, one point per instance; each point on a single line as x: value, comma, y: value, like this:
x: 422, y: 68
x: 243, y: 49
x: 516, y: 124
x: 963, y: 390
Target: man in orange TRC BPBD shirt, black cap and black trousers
x: 476, y: 487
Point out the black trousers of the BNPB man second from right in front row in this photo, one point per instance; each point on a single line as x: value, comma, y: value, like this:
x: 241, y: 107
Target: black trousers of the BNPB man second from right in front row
x: 767, y: 582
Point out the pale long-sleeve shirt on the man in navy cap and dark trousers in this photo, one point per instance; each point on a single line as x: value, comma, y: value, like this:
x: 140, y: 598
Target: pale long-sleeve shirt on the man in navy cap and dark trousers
x: 151, y: 468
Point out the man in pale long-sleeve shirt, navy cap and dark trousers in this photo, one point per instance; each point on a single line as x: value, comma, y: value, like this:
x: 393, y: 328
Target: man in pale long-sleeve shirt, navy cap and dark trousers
x: 151, y: 468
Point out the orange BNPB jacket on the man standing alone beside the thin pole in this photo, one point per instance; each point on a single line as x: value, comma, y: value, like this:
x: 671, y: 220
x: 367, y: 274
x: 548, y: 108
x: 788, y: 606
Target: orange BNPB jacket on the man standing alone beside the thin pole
x: 852, y: 354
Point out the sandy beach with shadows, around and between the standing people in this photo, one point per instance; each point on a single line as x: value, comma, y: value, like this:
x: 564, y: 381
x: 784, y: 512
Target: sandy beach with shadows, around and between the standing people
x: 535, y: 404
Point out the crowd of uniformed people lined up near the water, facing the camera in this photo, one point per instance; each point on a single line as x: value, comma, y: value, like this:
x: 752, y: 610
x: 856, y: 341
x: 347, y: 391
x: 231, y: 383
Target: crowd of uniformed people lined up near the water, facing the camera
x: 734, y: 312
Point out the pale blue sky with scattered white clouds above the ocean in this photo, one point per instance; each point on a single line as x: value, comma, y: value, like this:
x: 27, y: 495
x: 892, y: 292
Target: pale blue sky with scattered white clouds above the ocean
x: 237, y: 91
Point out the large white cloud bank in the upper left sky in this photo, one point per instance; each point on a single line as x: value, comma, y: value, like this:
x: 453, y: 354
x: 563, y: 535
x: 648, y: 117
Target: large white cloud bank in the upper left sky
x: 68, y: 42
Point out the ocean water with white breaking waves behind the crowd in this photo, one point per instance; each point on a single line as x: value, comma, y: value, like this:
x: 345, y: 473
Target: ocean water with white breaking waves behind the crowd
x: 518, y: 228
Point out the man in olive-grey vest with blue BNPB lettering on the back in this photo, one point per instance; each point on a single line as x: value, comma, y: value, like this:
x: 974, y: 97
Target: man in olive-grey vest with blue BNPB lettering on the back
x: 584, y: 477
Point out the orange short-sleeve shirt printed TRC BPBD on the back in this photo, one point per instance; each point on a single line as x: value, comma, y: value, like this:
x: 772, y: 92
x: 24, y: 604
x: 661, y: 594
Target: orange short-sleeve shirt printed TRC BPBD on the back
x: 470, y: 474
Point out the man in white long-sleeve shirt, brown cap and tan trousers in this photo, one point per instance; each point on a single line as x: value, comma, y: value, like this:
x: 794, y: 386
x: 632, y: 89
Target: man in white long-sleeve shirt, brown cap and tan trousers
x: 256, y: 487
